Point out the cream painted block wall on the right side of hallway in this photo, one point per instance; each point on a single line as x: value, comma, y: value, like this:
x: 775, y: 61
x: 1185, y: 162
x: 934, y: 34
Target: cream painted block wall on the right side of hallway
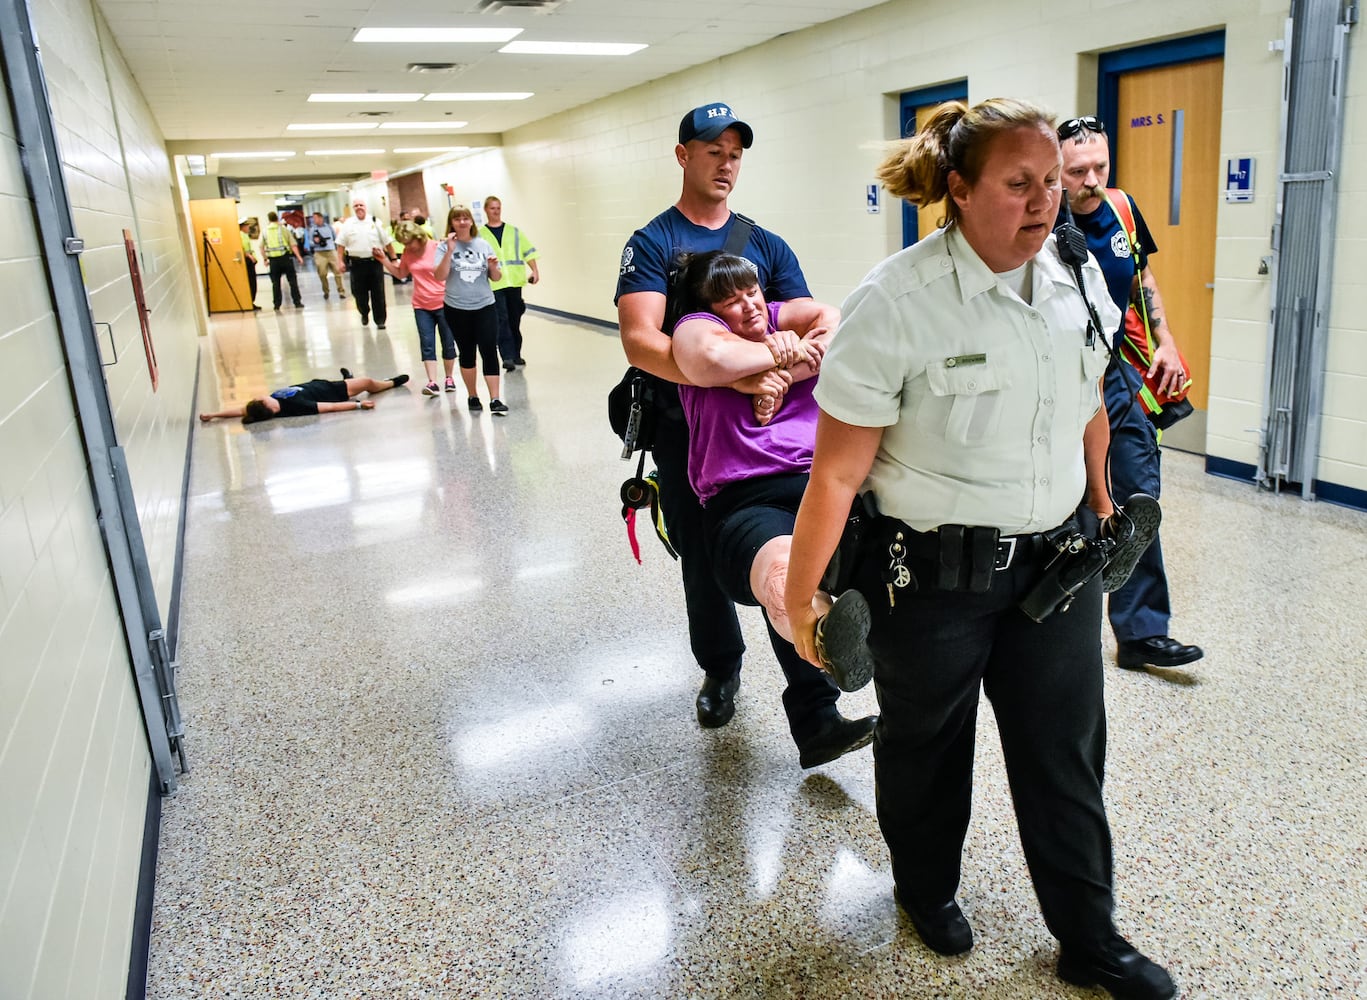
x: 822, y: 103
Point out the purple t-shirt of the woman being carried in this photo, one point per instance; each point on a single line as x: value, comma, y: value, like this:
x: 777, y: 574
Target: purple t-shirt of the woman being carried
x: 727, y: 443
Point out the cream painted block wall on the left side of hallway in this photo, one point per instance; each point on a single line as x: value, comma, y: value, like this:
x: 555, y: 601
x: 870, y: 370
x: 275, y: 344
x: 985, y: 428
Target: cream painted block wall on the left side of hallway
x: 75, y: 766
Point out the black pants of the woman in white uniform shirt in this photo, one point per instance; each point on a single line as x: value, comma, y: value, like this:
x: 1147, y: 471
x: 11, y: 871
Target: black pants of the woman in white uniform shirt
x: 933, y: 654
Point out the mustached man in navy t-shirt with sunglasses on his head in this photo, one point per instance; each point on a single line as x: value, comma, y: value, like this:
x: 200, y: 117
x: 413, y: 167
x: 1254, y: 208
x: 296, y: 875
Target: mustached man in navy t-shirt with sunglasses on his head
x: 1139, y: 611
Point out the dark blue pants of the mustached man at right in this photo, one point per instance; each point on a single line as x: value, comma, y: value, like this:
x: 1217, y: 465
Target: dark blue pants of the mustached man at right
x: 1141, y: 609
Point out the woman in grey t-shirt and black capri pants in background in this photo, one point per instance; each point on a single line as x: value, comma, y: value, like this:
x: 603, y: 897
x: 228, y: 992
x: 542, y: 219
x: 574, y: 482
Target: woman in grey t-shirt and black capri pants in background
x: 467, y: 264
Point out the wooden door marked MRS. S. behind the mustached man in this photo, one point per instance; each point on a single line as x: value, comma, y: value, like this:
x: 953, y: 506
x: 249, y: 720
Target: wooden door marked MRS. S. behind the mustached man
x: 1167, y: 154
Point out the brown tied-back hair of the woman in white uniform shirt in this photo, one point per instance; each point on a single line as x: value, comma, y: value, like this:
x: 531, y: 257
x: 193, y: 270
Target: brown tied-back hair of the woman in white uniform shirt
x: 955, y: 139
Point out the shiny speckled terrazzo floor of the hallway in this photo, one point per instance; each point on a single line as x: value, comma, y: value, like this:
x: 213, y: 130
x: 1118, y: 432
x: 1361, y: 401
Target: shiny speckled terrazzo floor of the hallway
x: 444, y: 740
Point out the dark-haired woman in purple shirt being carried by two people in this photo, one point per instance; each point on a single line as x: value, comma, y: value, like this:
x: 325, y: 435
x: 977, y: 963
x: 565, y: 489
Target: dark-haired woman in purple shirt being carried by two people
x: 750, y: 457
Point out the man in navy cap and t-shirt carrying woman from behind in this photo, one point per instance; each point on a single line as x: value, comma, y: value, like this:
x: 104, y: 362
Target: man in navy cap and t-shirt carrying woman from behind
x: 710, y: 148
